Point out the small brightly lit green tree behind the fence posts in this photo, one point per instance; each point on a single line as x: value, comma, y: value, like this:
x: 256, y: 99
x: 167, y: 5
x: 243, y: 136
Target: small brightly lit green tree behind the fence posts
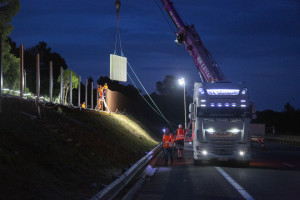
x: 66, y: 83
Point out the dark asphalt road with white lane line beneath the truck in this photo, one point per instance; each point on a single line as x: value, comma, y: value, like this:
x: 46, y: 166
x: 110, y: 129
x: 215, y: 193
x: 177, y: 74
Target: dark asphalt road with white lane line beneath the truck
x: 274, y: 173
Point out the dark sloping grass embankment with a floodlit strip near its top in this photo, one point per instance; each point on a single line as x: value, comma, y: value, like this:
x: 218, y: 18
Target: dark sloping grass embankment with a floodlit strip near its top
x: 67, y: 154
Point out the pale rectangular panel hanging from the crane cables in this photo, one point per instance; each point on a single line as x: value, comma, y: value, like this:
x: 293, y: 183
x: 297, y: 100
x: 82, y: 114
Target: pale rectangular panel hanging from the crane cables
x: 118, y: 68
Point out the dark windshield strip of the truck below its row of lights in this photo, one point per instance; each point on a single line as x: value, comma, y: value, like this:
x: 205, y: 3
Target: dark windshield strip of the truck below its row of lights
x: 222, y: 112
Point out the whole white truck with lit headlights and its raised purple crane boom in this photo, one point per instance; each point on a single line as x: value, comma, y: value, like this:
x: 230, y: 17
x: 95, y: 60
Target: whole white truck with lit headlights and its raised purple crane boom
x: 221, y: 110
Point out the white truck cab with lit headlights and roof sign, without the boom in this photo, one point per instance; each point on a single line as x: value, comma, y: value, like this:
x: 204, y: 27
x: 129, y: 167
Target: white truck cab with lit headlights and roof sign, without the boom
x: 220, y: 115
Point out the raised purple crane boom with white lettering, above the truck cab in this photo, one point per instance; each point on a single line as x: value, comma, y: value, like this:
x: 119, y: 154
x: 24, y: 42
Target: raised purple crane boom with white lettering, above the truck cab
x: 206, y: 65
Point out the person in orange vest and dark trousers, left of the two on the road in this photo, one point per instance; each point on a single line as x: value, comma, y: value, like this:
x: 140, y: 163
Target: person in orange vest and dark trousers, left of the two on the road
x: 168, y: 144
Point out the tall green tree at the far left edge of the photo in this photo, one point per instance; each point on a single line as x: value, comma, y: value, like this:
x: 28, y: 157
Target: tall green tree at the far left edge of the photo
x: 8, y: 9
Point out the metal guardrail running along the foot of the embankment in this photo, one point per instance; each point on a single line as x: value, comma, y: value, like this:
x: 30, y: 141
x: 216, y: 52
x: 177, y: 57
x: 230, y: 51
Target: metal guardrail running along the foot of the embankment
x: 112, y: 190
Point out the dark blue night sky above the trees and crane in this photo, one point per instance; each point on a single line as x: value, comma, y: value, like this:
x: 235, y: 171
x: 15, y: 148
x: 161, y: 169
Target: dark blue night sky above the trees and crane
x: 256, y: 41
